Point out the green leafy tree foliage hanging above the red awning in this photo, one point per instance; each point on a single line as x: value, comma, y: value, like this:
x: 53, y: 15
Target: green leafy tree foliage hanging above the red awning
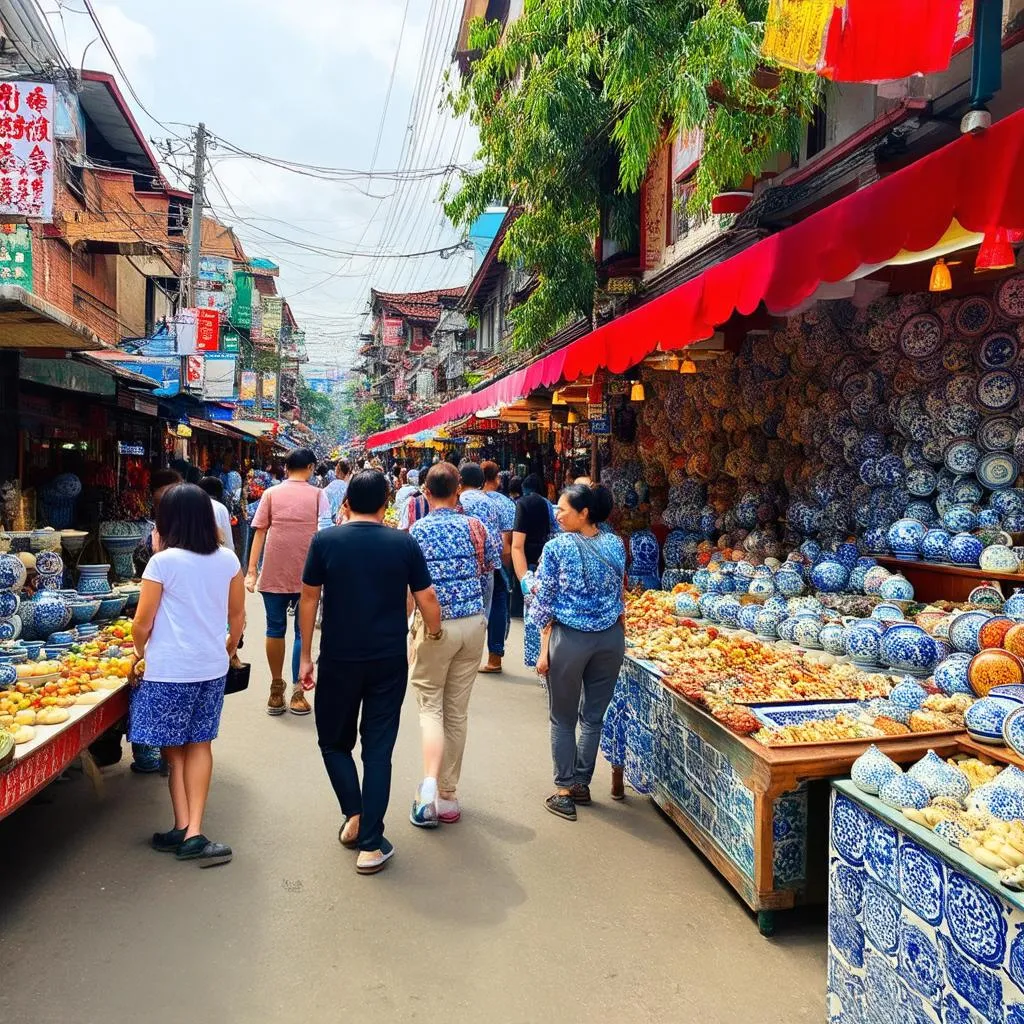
x: 572, y: 105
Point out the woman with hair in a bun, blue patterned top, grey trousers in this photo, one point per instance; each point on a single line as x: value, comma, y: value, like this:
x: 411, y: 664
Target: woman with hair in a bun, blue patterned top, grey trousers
x: 579, y: 606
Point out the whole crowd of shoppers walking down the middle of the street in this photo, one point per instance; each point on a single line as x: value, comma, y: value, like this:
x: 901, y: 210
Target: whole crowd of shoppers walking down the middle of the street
x: 409, y: 607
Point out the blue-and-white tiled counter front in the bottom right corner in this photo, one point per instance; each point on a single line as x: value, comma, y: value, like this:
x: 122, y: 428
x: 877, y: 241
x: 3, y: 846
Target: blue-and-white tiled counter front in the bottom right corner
x: 918, y: 931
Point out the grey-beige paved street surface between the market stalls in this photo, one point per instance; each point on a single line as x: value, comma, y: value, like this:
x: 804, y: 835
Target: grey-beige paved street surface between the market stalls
x: 511, y: 917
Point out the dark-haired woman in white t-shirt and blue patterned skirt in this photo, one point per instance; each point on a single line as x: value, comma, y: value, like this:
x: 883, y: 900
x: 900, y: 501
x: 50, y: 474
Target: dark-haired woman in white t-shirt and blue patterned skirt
x: 191, y: 587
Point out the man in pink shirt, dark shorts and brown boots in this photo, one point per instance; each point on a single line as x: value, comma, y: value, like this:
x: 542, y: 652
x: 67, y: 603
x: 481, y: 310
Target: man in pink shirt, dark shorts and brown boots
x: 288, y: 519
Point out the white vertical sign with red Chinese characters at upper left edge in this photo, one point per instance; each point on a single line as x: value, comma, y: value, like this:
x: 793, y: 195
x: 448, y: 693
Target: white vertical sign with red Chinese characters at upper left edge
x: 27, y: 150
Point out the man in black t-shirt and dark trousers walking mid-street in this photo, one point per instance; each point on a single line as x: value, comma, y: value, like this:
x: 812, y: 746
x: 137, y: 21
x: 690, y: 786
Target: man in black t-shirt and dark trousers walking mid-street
x: 367, y: 572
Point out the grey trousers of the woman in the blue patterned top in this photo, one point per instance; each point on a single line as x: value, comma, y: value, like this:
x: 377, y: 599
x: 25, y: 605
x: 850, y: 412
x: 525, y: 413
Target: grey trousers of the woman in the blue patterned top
x: 582, y: 674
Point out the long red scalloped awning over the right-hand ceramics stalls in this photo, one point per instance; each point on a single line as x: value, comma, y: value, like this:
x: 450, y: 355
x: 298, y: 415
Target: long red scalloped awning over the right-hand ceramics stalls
x: 975, y: 181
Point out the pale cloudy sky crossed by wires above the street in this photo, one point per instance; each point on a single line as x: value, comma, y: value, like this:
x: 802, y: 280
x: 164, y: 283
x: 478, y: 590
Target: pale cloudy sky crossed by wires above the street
x: 307, y: 81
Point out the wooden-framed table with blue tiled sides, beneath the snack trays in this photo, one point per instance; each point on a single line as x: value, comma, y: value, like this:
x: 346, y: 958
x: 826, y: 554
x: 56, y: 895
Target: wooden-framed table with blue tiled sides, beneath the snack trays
x: 744, y: 805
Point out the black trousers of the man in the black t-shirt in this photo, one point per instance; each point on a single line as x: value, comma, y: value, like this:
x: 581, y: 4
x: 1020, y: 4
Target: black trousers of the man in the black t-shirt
x: 344, y: 690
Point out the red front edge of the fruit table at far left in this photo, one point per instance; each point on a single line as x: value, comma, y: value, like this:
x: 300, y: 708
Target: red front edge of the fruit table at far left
x: 39, y: 762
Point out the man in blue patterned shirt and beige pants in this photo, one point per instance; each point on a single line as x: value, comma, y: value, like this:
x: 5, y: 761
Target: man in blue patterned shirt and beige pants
x: 461, y: 557
